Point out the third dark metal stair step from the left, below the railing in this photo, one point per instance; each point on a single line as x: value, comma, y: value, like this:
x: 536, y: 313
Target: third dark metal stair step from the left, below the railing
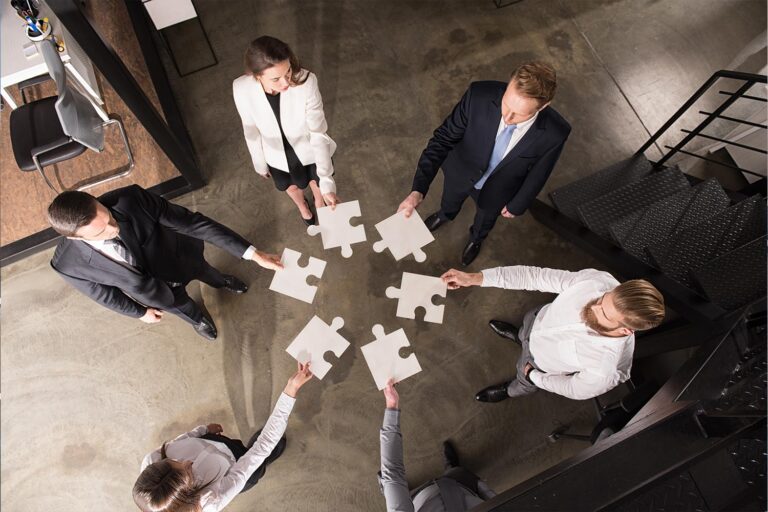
x: 679, y: 211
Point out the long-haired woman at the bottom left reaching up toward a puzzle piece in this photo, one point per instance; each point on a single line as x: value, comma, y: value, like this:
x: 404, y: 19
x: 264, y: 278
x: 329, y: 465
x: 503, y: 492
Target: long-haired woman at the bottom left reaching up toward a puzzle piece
x: 202, y: 470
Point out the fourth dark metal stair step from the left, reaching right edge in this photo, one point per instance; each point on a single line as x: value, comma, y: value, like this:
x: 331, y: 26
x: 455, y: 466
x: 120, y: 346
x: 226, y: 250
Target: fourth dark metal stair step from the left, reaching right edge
x: 692, y: 248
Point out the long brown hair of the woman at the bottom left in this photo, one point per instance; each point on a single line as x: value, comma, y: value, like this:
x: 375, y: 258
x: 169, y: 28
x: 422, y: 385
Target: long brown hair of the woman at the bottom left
x: 163, y: 488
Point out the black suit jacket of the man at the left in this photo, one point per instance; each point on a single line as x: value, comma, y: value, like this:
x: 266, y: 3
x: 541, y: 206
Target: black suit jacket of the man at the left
x: 166, y: 240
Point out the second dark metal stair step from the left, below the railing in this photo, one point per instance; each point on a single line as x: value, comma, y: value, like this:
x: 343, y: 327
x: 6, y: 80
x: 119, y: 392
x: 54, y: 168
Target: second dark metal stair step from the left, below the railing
x: 599, y: 213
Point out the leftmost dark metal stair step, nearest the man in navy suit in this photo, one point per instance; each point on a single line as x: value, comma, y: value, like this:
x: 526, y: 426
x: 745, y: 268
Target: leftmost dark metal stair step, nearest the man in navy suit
x: 568, y: 197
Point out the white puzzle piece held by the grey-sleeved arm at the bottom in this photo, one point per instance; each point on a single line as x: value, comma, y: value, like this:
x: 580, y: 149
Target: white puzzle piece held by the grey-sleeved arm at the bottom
x: 384, y: 360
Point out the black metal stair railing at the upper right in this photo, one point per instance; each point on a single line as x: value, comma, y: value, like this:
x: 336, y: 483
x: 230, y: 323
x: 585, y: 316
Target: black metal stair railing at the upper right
x: 747, y: 81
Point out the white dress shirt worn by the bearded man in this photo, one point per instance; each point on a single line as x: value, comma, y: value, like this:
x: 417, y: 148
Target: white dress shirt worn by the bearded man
x: 579, y: 363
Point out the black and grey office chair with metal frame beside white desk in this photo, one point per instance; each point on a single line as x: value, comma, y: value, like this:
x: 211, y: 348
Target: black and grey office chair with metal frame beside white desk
x: 58, y: 128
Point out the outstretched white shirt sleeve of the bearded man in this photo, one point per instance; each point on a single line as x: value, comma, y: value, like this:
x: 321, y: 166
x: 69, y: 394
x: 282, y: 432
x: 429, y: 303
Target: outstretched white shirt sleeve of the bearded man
x: 521, y: 277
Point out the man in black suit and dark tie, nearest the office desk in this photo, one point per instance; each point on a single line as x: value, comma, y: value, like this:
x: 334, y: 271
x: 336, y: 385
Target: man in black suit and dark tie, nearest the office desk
x: 134, y: 252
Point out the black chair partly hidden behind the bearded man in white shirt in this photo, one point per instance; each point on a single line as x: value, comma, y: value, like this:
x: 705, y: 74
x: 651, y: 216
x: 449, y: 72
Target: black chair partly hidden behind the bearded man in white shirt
x: 612, y: 417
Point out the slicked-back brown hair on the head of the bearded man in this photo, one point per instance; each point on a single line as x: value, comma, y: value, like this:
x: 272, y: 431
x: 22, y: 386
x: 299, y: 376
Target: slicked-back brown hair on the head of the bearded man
x: 640, y: 303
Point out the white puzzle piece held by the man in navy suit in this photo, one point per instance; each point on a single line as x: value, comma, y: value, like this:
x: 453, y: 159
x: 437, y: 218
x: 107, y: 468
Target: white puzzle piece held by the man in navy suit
x: 403, y: 236
